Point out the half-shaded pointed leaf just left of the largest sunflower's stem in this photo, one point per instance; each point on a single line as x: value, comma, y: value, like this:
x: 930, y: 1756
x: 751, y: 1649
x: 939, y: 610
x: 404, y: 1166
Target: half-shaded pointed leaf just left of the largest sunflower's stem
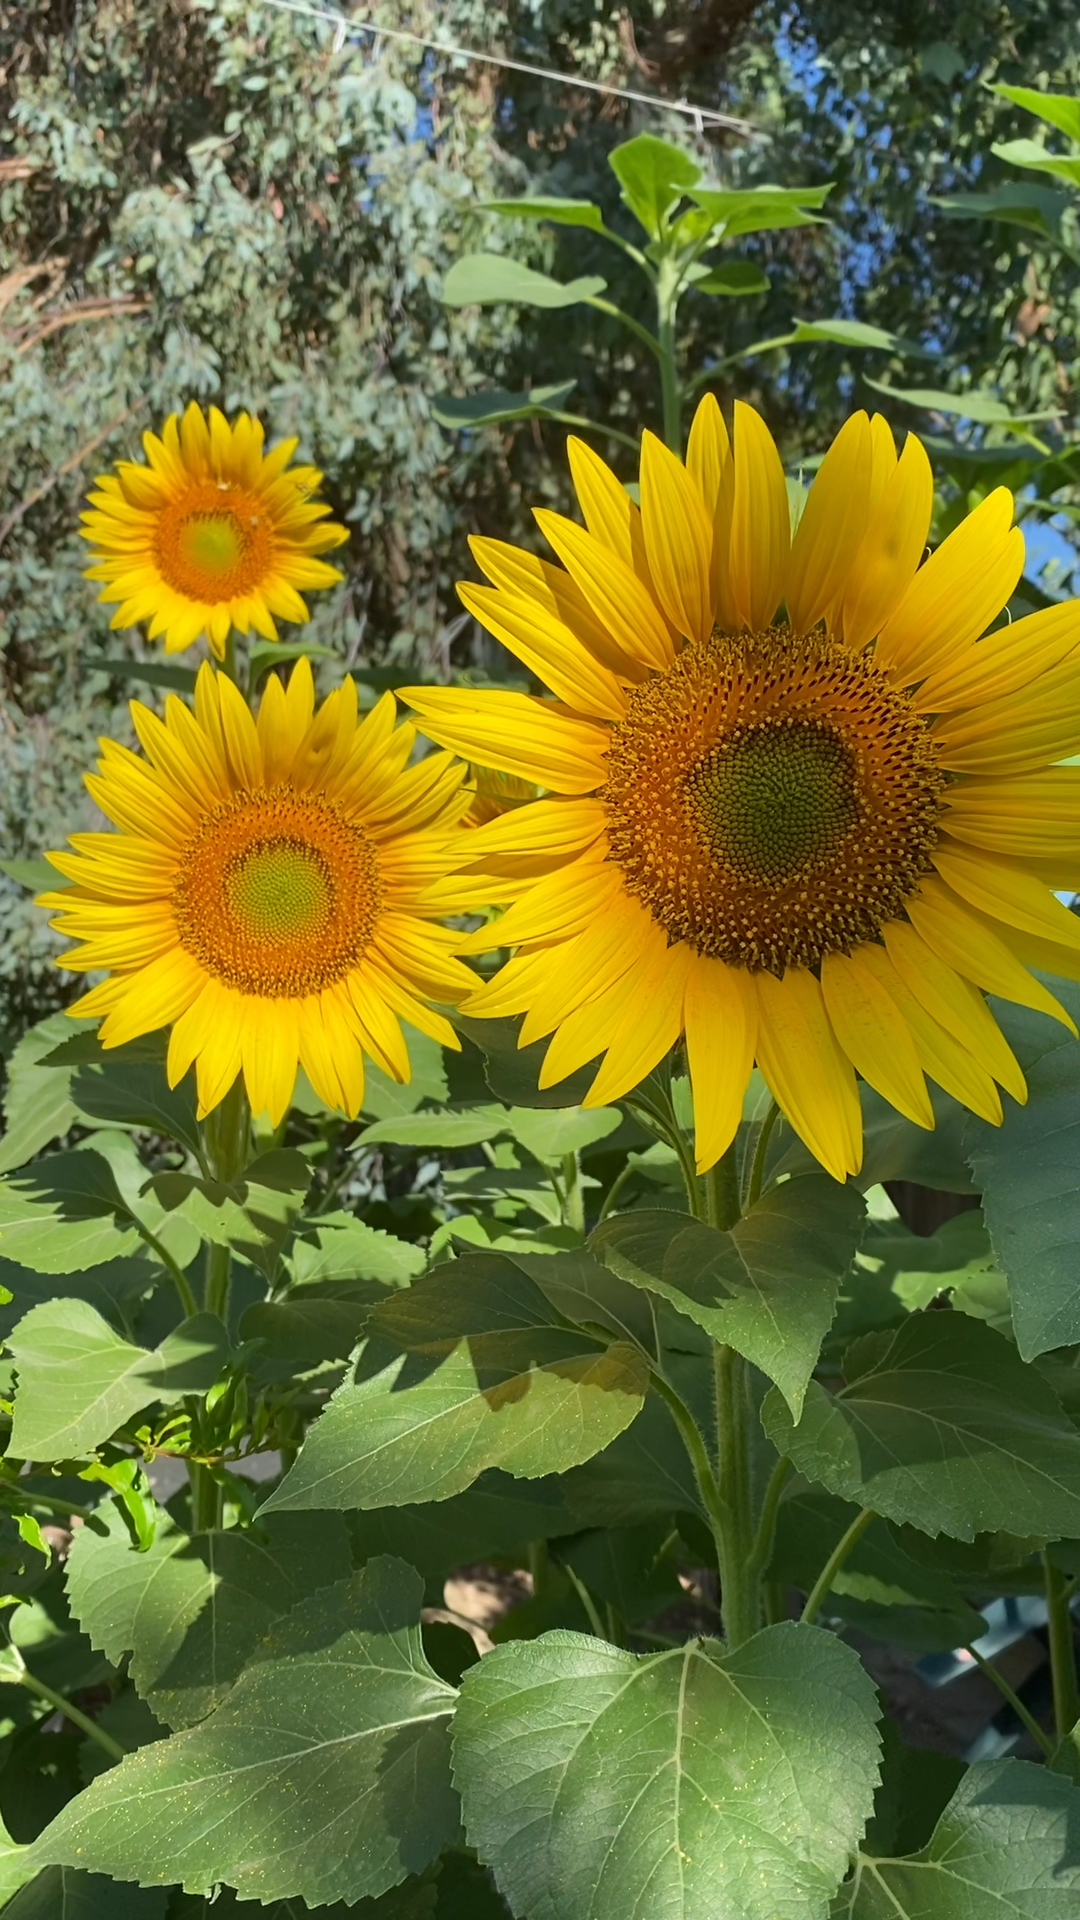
x: 470, y: 1368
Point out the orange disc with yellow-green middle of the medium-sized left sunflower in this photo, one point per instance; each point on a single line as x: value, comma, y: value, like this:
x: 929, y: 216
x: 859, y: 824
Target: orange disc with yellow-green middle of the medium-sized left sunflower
x: 278, y: 894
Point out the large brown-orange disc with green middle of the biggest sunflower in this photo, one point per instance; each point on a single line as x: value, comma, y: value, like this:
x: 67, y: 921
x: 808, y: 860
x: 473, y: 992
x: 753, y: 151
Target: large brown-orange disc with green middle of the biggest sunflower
x: 772, y: 800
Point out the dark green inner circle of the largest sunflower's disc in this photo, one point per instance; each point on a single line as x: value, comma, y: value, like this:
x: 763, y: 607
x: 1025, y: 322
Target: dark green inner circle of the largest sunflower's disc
x: 775, y: 796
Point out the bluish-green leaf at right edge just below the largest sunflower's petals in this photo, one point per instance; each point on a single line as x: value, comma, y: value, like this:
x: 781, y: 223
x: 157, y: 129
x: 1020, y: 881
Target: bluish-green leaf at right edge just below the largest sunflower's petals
x: 1029, y: 1172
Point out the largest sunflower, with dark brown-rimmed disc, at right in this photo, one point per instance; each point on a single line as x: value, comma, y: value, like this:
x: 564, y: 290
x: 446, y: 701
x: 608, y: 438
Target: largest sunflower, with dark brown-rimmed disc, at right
x: 797, y: 809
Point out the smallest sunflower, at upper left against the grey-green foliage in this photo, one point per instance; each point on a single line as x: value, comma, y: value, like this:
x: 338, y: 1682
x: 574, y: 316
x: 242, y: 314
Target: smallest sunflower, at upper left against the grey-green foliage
x: 210, y: 535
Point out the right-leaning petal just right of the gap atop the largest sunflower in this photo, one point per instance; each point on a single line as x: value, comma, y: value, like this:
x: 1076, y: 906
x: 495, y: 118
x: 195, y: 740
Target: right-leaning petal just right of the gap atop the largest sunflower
x: 831, y: 529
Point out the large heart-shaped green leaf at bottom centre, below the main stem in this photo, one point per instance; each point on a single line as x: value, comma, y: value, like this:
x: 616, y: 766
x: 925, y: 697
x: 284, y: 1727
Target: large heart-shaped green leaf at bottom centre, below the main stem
x: 685, y: 1785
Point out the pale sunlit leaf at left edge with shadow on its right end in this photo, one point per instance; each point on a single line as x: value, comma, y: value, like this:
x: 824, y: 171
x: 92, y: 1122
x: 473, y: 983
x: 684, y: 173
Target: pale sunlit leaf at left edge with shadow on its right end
x: 78, y: 1381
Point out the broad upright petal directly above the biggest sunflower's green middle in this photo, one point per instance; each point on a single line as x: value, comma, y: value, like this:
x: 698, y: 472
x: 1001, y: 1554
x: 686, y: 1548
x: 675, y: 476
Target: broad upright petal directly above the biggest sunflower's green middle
x: 762, y: 527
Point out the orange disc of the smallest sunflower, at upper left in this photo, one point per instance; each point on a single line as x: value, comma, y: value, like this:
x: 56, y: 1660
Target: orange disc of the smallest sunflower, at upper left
x: 214, y: 542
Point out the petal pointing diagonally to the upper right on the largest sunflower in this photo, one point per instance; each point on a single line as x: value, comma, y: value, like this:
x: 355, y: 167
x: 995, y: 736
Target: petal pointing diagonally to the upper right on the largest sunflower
x: 952, y: 598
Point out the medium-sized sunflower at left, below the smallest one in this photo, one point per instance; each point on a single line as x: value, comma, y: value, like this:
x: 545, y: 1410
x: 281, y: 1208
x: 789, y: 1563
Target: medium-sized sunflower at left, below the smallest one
x: 270, y: 890
